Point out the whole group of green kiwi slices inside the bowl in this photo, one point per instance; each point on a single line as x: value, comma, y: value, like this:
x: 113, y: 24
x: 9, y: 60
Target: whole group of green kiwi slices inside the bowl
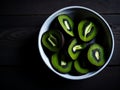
x: 71, y: 47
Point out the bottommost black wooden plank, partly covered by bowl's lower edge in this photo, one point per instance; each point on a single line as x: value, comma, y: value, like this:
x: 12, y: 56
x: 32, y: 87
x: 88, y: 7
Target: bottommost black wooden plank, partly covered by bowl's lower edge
x: 40, y: 78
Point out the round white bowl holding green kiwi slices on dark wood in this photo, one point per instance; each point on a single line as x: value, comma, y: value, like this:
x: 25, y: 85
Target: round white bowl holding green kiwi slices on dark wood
x: 83, y: 12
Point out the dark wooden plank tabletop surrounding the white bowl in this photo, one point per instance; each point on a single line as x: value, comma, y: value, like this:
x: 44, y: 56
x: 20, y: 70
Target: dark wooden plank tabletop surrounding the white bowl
x: 21, y: 66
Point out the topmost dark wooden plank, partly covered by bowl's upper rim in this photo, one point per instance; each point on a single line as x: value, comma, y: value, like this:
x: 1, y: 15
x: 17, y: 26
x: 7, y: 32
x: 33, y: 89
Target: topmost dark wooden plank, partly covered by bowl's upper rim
x: 21, y: 7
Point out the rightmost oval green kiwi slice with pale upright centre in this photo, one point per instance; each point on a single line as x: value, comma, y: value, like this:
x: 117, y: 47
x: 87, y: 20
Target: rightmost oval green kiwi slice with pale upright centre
x: 96, y: 55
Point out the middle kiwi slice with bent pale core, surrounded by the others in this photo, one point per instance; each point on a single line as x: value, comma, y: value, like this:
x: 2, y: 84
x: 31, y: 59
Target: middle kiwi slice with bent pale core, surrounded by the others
x: 74, y: 49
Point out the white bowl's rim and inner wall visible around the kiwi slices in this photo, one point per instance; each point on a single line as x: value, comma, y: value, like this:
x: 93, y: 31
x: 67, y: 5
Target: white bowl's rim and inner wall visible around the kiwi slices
x: 105, y: 37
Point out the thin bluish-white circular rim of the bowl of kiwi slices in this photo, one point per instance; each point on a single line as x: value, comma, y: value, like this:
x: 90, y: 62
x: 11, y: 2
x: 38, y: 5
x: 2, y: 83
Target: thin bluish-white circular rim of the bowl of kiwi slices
x: 67, y: 76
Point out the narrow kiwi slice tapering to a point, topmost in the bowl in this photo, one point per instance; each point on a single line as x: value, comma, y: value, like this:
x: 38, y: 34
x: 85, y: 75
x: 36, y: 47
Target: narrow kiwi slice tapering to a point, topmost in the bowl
x: 67, y: 24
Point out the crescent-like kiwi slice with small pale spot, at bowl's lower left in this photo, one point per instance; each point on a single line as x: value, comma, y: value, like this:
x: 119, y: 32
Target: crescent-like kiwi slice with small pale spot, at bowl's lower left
x: 60, y: 63
